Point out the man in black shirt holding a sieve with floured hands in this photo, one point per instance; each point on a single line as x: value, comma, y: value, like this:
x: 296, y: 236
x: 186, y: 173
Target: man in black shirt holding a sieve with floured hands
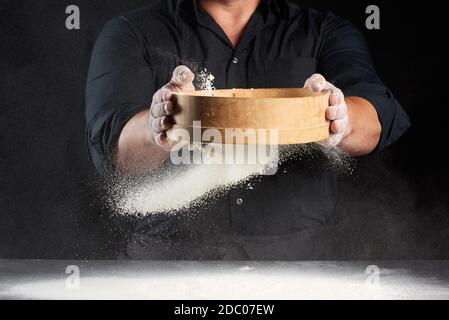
x: 244, y: 44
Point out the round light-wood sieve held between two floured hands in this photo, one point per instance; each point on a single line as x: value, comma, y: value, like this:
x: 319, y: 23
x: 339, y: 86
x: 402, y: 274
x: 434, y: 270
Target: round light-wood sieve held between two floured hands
x: 297, y: 114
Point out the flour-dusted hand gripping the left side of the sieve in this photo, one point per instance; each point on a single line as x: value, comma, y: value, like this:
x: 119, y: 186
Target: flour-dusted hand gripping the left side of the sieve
x: 161, y: 111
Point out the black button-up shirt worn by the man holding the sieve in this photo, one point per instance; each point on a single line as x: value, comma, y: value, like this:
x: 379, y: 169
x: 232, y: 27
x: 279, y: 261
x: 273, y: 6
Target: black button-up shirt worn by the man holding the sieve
x: 282, y: 46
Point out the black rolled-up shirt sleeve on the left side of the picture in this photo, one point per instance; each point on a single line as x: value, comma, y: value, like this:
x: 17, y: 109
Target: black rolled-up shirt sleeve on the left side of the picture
x: 120, y: 84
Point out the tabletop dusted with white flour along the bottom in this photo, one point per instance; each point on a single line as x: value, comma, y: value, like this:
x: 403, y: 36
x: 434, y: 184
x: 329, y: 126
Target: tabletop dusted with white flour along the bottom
x: 47, y: 279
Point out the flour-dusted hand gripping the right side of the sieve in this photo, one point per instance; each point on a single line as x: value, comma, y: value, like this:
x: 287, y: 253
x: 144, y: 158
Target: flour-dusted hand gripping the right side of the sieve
x: 337, y: 112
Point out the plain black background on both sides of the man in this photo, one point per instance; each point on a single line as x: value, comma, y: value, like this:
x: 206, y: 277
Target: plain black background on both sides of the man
x: 394, y: 206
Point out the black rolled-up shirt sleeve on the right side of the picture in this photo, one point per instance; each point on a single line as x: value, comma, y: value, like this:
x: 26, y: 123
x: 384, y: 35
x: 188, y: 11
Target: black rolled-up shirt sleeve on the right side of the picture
x: 346, y: 62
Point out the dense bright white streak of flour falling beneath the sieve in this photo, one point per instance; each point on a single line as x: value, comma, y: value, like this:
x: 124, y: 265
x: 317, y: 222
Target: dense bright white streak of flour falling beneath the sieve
x: 172, y: 188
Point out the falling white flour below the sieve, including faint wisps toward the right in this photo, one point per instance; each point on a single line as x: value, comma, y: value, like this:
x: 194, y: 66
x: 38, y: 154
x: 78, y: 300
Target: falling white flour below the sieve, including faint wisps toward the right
x: 171, y: 188
